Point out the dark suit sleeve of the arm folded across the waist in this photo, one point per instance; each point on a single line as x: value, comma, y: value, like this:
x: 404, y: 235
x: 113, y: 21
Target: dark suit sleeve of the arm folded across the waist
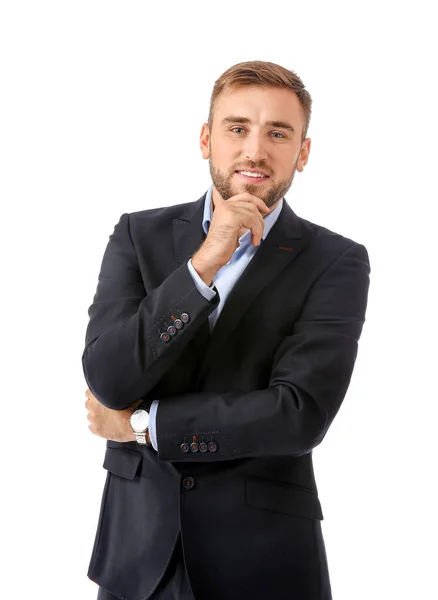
x: 310, y: 375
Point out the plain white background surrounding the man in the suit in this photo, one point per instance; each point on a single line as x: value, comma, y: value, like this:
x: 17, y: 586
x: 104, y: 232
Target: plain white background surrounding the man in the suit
x: 102, y: 104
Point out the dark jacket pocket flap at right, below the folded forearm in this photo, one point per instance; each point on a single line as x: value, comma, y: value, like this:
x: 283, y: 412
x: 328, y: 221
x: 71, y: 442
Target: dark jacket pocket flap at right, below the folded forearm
x: 283, y: 498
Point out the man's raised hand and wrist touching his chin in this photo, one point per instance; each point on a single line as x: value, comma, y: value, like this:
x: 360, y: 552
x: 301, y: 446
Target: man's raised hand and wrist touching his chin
x: 243, y: 211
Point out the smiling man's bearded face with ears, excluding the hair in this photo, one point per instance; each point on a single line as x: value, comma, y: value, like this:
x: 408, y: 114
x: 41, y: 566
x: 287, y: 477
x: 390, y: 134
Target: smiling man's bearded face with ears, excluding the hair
x: 255, y: 129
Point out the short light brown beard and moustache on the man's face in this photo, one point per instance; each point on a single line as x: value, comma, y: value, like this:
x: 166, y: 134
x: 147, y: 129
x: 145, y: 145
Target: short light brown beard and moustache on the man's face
x: 222, y: 182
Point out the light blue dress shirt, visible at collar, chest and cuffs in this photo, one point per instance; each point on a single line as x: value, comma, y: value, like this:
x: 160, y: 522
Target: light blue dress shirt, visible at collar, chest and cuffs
x: 224, y: 279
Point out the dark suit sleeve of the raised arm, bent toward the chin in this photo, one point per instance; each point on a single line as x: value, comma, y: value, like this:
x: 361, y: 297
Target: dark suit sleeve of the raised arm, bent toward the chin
x: 124, y: 356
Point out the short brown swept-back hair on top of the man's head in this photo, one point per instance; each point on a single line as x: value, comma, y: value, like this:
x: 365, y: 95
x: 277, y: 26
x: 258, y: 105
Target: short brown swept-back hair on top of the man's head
x: 258, y: 72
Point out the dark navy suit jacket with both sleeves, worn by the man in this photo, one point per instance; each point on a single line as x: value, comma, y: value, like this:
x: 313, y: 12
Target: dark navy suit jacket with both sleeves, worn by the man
x: 255, y: 397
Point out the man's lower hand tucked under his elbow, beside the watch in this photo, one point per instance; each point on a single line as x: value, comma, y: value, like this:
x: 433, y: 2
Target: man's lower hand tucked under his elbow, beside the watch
x: 108, y: 423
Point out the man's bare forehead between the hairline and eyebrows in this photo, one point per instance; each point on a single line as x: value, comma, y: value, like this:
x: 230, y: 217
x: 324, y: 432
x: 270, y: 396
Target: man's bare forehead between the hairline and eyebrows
x: 261, y: 103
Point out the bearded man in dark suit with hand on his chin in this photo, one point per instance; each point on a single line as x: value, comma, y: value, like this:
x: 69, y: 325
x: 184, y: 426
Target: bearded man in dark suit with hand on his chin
x: 221, y: 343
